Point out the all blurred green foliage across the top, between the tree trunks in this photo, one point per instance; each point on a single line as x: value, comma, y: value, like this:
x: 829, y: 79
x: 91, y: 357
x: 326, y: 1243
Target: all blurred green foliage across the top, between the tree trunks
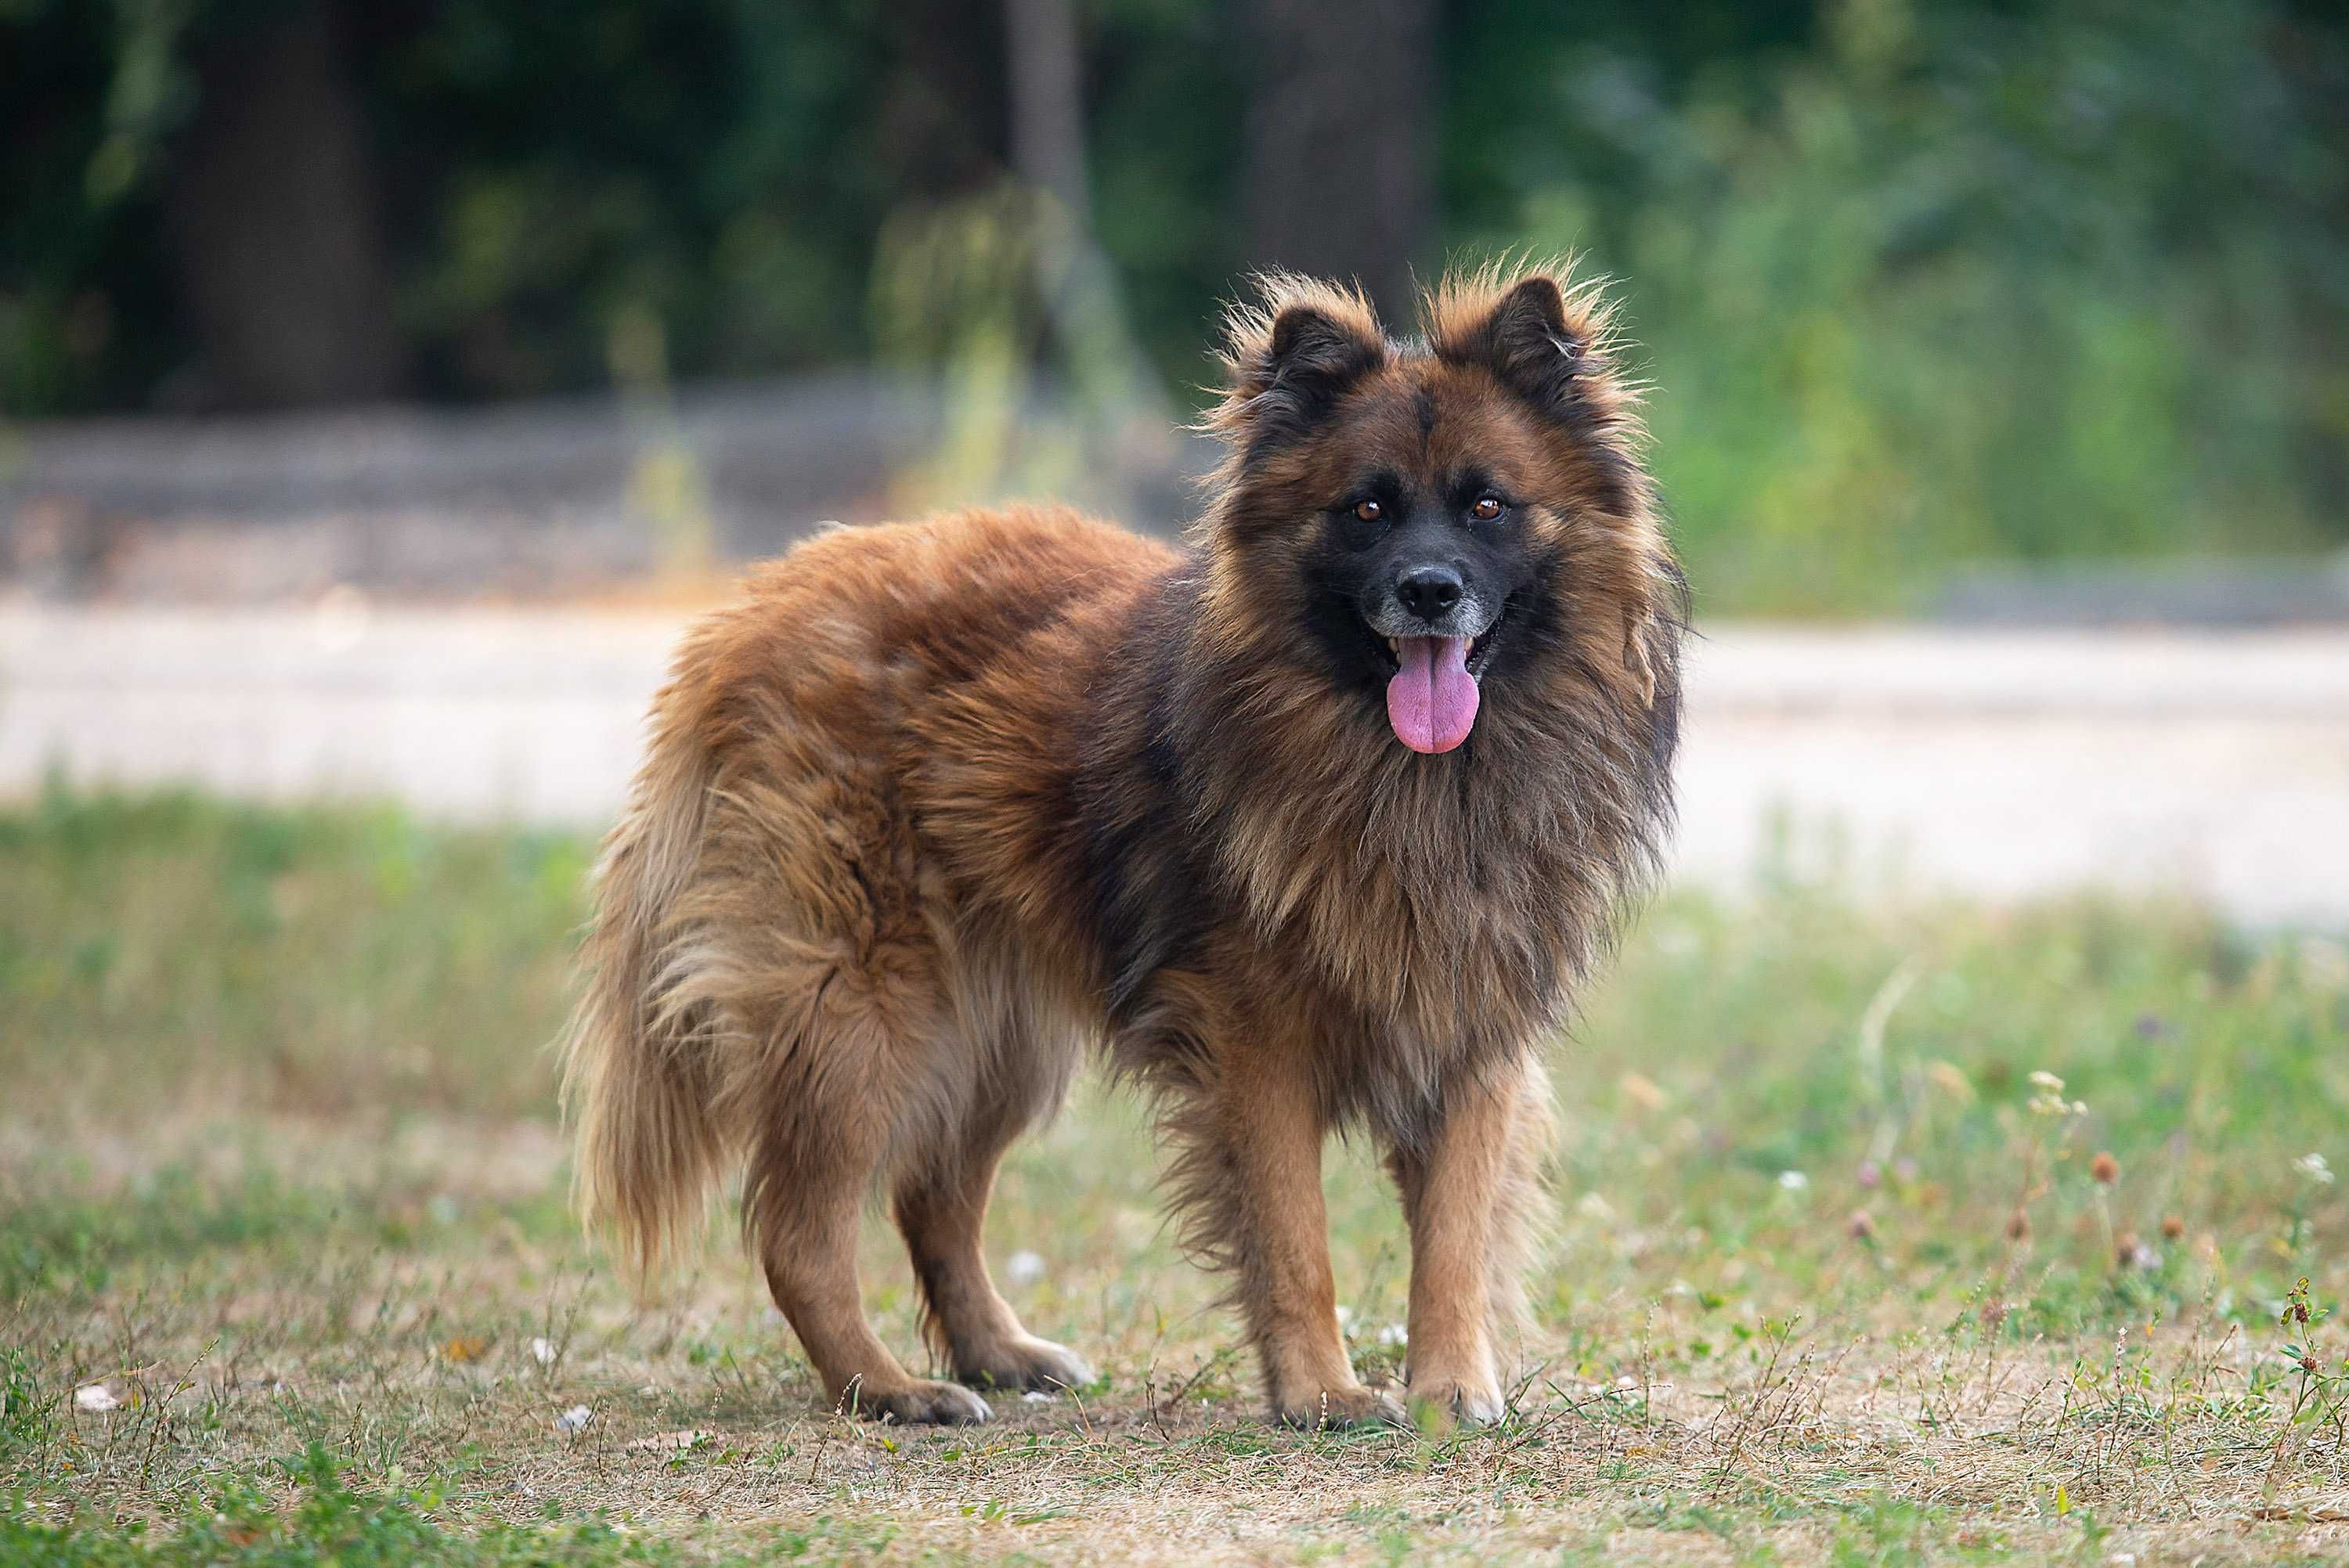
x: 1918, y: 281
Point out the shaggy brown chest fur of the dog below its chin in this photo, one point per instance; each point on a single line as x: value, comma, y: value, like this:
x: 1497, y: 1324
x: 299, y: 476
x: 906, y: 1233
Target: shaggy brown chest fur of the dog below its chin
x: 1448, y: 903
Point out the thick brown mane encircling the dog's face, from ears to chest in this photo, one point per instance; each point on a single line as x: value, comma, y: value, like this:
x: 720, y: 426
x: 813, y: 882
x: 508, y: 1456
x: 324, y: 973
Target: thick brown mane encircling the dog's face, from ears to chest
x: 1451, y: 900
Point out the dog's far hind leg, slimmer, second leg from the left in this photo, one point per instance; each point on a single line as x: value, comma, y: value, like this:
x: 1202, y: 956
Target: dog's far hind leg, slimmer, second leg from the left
x: 943, y: 1210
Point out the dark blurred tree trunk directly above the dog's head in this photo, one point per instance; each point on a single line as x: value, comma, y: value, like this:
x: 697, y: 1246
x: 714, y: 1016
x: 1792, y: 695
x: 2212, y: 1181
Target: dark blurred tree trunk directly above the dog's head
x: 1340, y: 142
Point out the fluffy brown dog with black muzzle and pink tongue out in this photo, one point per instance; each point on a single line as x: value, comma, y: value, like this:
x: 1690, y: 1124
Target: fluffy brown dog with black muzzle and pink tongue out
x: 1312, y: 825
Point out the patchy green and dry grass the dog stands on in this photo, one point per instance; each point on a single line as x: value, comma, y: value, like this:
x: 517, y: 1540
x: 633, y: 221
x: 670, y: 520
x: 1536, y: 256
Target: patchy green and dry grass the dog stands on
x: 278, y: 1177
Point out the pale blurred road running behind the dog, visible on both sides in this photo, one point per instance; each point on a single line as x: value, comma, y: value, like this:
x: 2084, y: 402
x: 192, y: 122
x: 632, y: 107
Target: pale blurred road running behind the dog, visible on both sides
x: 1995, y: 764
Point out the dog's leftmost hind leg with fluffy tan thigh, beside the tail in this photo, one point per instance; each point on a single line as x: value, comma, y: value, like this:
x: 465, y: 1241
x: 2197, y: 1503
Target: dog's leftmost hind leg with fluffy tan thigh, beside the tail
x: 812, y: 952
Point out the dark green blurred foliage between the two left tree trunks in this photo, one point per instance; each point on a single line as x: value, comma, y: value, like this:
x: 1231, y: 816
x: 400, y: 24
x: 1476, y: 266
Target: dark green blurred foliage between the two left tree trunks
x: 708, y: 168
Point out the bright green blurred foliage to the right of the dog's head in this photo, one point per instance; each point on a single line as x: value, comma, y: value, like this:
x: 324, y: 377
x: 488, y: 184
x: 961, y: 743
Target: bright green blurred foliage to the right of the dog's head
x: 1970, y: 285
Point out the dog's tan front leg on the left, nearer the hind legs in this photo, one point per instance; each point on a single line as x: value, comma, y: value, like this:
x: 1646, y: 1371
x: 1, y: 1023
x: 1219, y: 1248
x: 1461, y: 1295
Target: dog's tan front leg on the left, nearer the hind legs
x: 1258, y: 1208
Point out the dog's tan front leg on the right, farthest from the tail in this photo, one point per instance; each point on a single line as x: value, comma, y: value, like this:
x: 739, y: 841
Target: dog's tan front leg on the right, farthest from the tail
x: 1462, y: 1194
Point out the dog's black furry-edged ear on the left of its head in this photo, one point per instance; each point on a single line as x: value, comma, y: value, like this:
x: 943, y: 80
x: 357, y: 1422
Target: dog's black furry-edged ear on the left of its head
x: 1288, y: 360
